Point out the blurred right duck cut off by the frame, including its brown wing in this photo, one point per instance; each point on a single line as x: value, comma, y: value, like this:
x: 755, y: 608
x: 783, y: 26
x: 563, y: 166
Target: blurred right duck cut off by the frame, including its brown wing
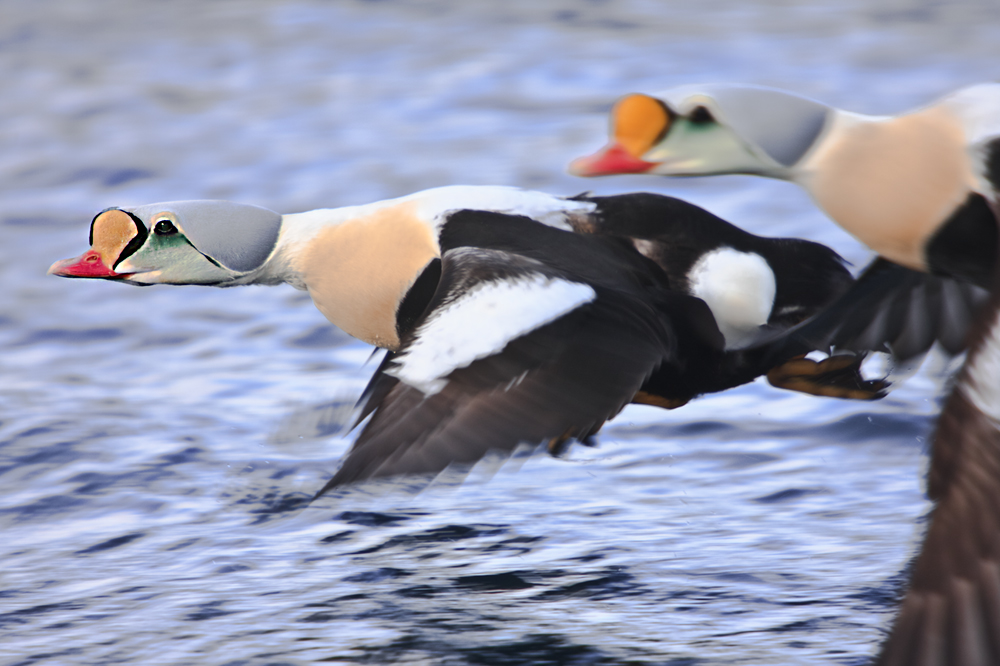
x: 921, y: 189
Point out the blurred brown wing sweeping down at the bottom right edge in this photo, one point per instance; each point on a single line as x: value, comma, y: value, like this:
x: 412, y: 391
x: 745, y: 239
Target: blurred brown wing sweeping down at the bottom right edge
x: 950, y: 615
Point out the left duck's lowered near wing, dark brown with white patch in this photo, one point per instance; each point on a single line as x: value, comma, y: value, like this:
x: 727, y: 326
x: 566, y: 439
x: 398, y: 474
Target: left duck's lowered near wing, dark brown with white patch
x: 509, y: 351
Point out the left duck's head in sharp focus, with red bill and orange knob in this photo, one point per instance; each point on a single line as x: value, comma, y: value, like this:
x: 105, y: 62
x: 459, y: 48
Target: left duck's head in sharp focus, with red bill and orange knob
x: 178, y: 242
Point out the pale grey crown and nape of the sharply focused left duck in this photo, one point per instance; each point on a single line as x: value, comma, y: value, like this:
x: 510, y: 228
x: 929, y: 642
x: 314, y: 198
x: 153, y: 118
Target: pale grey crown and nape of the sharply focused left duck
x: 238, y: 236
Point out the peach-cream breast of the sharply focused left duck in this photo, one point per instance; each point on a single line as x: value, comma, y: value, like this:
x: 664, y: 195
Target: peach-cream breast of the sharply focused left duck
x: 359, y: 270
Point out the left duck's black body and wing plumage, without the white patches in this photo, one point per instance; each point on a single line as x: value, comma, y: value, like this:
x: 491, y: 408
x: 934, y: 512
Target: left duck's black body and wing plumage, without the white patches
x: 641, y: 332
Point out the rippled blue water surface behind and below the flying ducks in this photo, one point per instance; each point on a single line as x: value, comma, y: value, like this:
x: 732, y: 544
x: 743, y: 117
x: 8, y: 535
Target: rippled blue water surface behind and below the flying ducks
x: 155, y: 444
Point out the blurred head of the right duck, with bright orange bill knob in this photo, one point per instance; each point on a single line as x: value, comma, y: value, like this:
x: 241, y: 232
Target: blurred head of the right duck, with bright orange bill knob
x: 710, y: 129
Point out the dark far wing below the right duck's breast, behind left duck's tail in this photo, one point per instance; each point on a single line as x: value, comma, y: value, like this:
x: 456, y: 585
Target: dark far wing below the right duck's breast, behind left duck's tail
x: 892, y: 309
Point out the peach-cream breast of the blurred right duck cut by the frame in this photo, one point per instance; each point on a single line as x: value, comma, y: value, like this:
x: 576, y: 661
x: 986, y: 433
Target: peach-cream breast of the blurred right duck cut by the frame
x: 892, y: 182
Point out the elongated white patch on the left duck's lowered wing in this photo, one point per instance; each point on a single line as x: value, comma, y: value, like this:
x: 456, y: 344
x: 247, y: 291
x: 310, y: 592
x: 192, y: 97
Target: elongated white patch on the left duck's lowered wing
x: 481, y: 323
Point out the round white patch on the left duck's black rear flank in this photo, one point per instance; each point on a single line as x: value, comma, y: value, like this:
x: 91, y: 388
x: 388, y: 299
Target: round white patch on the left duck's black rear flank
x: 738, y: 287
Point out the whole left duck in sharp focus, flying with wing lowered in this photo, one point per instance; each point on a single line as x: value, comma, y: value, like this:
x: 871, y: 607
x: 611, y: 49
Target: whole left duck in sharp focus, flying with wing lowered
x: 510, y: 316
